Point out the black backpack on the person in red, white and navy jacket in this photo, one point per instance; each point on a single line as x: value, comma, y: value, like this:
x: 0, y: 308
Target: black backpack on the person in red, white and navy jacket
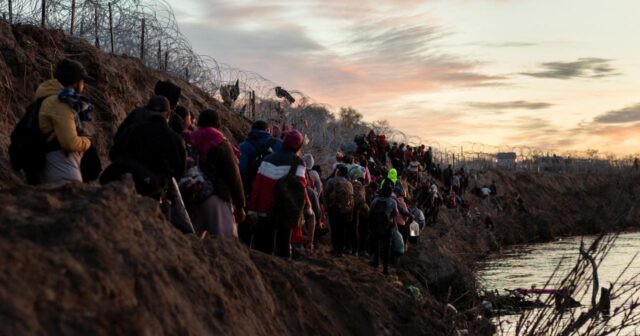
x: 289, y: 197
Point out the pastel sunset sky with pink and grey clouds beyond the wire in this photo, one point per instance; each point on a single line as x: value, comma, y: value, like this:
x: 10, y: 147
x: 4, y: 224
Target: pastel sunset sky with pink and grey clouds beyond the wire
x: 551, y: 74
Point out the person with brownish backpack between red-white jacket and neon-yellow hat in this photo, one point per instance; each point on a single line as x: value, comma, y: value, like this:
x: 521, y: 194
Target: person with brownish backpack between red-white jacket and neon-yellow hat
x: 340, y: 201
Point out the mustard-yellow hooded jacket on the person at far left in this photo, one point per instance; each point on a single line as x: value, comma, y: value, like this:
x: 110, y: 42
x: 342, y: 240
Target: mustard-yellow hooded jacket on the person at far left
x: 57, y: 118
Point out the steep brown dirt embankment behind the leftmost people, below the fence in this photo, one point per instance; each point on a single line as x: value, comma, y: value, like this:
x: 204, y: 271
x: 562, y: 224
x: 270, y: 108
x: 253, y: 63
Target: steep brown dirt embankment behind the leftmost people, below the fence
x: 118, y: 84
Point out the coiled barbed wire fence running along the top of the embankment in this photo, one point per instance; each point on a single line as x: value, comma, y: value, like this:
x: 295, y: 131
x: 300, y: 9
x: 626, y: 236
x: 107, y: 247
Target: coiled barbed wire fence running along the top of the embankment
x: 149, y: 30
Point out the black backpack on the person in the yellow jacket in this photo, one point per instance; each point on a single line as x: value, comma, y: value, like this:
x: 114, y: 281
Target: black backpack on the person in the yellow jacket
x: 28, y: 147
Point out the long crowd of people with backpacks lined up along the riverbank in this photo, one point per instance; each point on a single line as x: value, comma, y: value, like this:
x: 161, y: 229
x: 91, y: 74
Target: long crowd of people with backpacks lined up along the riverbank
x: 267, y: 191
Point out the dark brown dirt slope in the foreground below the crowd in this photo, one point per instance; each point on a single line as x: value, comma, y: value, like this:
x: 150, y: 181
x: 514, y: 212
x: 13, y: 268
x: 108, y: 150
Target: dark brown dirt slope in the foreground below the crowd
x: 89, y: 260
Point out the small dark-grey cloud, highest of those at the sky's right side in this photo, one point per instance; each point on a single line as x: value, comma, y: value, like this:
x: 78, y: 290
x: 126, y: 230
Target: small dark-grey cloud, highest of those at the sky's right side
x: 582, y: 68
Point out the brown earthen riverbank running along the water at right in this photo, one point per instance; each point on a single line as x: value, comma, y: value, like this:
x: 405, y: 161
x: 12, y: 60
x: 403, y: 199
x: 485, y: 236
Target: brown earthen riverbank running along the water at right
x: 552, y: 206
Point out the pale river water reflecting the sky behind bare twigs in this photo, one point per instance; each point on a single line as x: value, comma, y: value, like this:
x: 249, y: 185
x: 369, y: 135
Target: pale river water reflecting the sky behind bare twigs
x: 527, y: 265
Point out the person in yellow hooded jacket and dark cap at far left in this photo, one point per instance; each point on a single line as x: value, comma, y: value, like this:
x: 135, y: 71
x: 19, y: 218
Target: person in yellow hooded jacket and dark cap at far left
x: 61, y: 113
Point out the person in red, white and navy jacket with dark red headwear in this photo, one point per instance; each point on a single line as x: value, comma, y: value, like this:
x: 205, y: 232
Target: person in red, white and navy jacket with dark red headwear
x: 279, y: 199
